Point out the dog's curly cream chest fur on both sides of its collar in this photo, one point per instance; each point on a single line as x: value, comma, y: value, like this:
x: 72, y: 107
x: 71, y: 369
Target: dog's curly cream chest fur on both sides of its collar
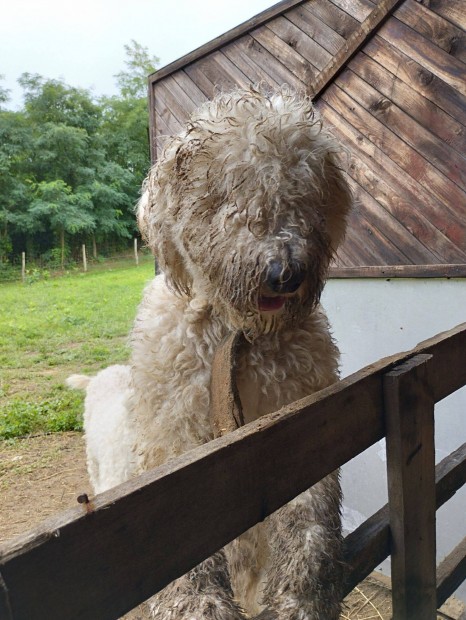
x: 174, y: 341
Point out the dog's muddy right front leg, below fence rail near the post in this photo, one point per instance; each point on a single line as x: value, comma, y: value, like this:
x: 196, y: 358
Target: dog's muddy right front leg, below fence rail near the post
x: 304, y: 580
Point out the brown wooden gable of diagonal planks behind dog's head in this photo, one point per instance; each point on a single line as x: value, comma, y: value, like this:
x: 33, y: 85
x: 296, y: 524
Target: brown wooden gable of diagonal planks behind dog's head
x: 389, y: 79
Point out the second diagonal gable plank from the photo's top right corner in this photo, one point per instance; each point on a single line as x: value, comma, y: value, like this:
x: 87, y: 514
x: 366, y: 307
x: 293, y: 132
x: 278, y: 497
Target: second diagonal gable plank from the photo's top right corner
x: 439, y: 31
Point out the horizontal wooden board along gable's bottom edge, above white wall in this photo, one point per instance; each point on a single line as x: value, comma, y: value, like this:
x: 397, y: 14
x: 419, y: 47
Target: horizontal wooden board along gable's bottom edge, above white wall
x: 397, y: 271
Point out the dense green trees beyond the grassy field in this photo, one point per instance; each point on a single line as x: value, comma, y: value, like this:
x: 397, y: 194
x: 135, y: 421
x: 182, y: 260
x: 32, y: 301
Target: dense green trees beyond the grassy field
x: 71, y: 166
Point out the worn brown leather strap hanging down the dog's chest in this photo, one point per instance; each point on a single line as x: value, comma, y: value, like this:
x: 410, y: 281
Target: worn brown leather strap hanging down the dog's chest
x: 226, y: 413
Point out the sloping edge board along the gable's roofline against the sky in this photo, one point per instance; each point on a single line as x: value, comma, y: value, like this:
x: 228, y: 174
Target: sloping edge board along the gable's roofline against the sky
x: 224, y: 39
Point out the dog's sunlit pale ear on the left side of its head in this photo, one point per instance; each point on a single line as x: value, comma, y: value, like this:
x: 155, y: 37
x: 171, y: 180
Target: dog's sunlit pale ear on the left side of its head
x: 154, y: 223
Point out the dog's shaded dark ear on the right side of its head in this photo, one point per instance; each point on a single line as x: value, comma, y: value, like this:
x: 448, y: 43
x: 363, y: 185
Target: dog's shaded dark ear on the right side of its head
x: 337, y: 198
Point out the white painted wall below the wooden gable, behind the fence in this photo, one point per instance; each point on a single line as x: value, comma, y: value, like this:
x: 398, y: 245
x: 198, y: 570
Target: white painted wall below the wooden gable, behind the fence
x: 373, y: 318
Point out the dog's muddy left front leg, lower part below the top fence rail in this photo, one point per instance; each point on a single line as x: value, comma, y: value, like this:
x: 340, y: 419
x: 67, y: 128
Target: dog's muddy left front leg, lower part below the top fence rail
x: 202, y: 594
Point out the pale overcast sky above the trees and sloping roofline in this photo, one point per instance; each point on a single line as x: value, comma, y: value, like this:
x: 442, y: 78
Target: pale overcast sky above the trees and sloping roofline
x: 82, y: 42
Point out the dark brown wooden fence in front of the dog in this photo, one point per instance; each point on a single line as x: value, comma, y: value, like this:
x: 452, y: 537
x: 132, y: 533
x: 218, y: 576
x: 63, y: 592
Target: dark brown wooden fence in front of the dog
x: 101, y: 559
